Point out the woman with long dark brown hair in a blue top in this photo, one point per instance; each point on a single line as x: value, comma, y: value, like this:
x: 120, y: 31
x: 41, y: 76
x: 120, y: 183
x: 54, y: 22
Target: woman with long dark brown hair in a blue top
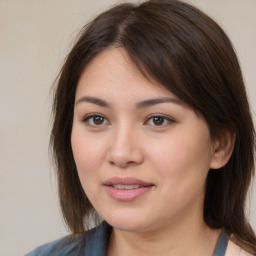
x: 153, y: 137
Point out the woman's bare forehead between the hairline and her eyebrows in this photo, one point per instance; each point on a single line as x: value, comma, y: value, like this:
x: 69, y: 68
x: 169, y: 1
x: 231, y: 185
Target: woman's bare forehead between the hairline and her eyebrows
x: 113, y: 72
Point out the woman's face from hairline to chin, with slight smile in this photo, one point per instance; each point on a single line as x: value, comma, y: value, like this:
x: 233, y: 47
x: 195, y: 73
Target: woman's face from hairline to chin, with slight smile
x: 142, y: 155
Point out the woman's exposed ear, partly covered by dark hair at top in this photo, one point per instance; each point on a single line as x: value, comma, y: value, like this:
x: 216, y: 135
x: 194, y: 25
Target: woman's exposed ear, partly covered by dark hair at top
x: 222, y: 148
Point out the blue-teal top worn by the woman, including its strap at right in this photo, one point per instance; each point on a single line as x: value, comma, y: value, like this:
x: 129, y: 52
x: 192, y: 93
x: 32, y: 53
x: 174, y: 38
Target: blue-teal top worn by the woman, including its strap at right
x: 94, y: 243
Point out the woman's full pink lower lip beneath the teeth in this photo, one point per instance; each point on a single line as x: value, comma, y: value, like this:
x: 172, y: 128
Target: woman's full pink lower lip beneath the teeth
x: 126, y: 195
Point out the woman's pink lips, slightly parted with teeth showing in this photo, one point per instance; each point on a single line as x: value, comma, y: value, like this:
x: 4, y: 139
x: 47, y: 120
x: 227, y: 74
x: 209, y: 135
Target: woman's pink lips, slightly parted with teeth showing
x: 126, y: 189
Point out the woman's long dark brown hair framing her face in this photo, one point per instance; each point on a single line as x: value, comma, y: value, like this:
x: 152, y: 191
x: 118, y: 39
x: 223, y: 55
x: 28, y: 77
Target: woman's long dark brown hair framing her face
x: 179, y: 46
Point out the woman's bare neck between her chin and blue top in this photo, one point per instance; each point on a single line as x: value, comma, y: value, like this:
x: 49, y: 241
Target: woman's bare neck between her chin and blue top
x: 190, y: 237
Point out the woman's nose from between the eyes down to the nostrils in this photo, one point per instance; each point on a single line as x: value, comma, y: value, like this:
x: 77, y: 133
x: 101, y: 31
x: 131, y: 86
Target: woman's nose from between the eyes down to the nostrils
x: 125, y: 149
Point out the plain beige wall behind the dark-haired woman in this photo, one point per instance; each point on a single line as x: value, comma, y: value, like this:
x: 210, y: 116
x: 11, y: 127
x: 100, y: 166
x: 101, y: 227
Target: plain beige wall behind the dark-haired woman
x: 34, y: 38
